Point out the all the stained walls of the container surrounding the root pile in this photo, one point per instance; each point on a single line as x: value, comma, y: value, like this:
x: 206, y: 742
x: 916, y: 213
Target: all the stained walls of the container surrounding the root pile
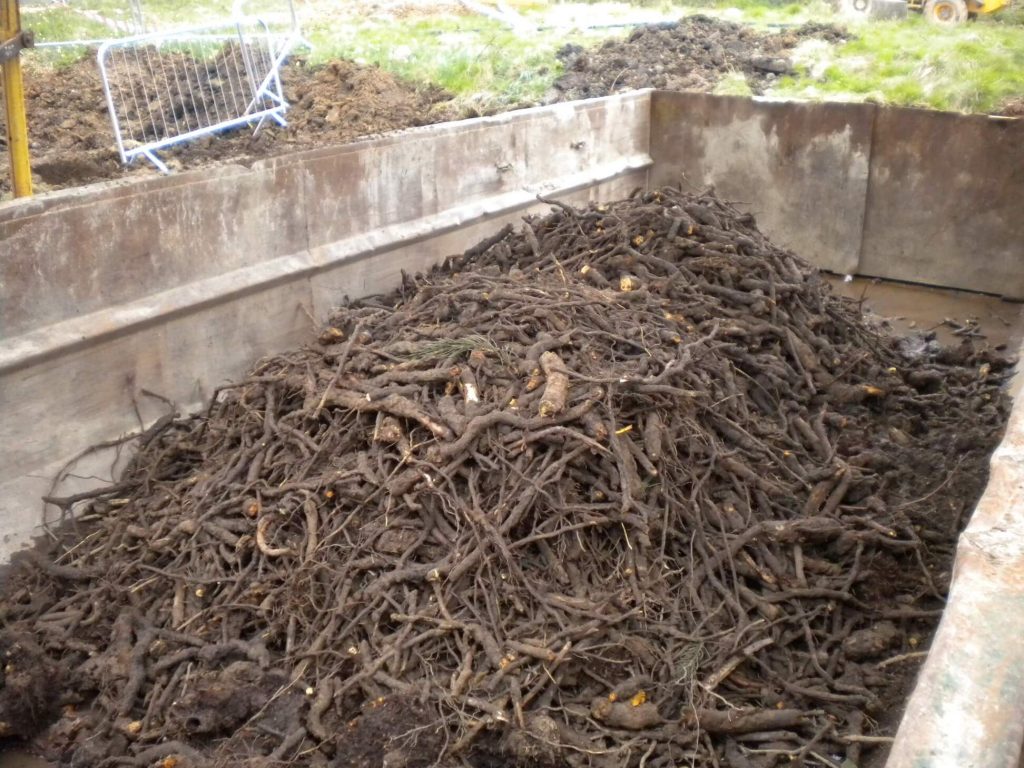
x: 177, y: 285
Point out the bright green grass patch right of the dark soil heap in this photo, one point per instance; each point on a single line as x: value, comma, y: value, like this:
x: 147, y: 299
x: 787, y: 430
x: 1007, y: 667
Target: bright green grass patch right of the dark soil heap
x: 972, y: 68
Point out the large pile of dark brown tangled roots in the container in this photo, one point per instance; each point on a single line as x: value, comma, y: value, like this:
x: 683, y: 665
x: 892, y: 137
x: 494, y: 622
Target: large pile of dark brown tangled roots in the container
x: 627, y: 487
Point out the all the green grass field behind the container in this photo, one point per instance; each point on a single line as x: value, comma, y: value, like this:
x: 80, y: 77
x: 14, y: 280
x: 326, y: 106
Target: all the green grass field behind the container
x: 973, y: 68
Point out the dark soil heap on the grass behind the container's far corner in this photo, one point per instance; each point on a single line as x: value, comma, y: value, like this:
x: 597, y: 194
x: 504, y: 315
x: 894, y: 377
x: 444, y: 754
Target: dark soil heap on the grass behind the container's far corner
x: 692, y: 55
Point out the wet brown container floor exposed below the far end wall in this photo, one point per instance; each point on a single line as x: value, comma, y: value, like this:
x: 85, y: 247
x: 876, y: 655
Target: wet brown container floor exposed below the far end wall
x: 910, y: 309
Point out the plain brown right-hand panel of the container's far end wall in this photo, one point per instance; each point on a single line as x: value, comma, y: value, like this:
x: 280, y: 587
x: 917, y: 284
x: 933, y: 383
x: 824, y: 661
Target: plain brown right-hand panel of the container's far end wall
x: 947, y: 201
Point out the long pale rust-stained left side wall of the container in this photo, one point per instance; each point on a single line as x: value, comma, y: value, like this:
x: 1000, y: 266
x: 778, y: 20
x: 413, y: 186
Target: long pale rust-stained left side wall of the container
x: 176, y: 285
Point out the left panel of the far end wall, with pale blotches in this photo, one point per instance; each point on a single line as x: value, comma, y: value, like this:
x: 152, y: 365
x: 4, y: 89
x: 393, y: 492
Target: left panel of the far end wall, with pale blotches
x: 801, y: 169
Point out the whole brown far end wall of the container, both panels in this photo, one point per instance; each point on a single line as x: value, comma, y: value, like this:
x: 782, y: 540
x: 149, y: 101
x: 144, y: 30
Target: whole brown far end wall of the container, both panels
x: 910, y: 195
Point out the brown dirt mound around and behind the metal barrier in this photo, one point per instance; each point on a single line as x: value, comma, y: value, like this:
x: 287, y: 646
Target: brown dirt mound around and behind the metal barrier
x: 72, y: 141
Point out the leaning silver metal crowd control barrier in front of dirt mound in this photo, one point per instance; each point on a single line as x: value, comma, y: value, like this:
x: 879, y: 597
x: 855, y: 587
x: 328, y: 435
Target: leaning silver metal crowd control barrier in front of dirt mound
x: 167, y: 89
